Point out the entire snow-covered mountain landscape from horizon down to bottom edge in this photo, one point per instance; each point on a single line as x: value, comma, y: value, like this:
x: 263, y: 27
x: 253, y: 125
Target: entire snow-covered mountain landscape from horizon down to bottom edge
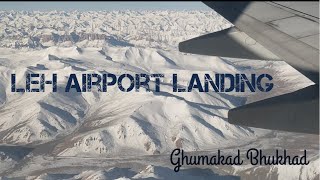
x: 51, y: 129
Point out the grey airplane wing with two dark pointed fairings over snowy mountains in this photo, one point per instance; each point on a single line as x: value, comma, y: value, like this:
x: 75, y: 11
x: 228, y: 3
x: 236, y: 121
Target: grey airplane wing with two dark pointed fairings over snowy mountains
x: 287, y: 31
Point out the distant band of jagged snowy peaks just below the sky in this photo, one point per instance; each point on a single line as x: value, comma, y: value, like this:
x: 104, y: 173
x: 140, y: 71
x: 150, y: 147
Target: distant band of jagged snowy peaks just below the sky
x: 98, y: 28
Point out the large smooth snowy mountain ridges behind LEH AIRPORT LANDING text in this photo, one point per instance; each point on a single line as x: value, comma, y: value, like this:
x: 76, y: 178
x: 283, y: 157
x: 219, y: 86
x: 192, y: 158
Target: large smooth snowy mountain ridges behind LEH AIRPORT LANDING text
x: 151, y: 122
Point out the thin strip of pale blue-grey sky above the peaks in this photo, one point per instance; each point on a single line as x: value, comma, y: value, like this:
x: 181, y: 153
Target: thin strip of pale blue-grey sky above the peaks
x: 100, y: 5
